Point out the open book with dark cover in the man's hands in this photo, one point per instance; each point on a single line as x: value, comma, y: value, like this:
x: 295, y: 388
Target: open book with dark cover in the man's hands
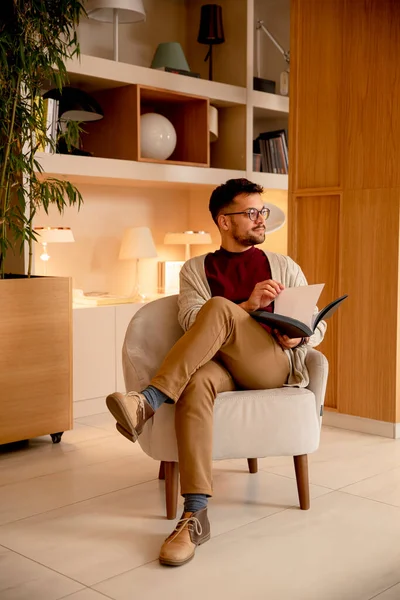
x: 294, y: 311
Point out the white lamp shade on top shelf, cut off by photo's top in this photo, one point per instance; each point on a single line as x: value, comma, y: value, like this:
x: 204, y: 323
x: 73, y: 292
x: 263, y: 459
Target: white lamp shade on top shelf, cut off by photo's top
x: 129, y: 11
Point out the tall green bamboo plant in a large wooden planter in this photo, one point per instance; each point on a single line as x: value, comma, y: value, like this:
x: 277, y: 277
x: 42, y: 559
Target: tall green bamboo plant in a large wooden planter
x: 36, y: 39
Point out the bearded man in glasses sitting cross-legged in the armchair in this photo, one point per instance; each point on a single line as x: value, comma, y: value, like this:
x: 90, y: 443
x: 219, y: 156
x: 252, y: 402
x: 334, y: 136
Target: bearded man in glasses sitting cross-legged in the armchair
x: 223, y: 349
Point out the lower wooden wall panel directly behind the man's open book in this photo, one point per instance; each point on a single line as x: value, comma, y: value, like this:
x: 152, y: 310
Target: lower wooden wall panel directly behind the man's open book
x: 317, y: 251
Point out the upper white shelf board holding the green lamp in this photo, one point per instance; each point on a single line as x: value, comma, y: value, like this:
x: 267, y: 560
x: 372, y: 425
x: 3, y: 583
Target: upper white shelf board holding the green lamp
x: 93, y: 73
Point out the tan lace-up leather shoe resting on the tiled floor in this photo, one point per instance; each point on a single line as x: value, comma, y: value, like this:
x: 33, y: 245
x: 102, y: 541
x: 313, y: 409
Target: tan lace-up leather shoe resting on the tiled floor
x: 193, y: 529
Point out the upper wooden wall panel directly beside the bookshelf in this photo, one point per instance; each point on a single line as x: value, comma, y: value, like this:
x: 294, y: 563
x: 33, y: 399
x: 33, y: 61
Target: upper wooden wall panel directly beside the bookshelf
x: 315, y: 94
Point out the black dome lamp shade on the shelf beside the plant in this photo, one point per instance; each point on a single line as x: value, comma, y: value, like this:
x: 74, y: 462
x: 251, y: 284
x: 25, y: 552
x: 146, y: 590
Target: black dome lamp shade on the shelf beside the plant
x: 75, y: 104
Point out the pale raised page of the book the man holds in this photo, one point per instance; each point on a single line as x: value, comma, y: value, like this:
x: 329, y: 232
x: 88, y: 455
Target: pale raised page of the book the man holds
x: 299, y: 302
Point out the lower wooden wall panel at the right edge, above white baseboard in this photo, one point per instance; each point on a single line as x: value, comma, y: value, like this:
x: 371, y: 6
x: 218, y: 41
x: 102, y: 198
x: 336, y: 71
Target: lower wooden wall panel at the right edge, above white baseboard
x: 368, y: 320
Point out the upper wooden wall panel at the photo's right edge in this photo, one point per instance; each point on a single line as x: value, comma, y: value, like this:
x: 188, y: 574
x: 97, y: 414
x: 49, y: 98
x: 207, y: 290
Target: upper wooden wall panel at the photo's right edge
x: 371, y: 92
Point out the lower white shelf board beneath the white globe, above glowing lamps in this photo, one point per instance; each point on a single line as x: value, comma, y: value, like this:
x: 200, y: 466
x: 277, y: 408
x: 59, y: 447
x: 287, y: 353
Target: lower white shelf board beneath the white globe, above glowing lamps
x: 107, y: 171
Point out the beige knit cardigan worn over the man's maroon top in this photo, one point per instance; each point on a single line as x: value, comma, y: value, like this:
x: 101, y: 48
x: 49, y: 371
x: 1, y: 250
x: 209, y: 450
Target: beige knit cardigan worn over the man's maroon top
x: 195, y: 291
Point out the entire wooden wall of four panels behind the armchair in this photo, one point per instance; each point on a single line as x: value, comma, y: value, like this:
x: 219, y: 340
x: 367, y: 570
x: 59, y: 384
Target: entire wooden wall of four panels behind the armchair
x: 344, y: 190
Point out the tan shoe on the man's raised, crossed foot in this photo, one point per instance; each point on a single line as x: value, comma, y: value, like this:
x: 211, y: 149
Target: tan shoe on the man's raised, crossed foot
x: 131, y: 411
